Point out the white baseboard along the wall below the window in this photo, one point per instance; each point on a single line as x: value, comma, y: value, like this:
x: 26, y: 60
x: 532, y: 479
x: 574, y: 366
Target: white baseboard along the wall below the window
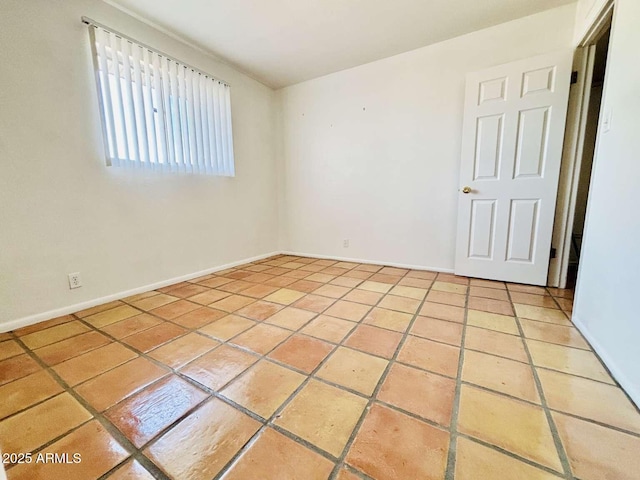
x: 58, y: 312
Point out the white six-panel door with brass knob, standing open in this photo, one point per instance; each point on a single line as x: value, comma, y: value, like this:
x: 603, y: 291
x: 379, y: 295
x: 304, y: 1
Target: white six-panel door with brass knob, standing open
x: 513, y: 130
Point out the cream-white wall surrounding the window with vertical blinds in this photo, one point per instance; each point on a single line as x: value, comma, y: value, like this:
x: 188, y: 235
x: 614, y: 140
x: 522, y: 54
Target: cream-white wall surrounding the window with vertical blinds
x: 62, y: 210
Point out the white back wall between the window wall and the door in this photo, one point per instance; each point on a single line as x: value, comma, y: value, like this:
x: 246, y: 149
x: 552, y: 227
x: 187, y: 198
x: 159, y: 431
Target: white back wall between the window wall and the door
x: 372, y: 154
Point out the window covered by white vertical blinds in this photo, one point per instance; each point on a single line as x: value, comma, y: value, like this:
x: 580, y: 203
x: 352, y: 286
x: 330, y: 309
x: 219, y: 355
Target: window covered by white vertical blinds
x: 158, y: 113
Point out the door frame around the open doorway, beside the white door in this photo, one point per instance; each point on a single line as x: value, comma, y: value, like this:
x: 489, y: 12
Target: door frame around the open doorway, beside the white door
x: 574, y: 146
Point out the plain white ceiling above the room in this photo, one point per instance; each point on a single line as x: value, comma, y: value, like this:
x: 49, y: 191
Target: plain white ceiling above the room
x: 283, y: 42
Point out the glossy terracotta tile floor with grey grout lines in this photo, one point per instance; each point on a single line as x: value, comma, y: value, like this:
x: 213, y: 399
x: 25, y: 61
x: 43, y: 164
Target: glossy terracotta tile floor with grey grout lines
x: 297, y: 368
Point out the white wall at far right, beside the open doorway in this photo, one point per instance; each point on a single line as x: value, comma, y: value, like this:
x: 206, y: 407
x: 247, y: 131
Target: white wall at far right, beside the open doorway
x: 606, y: 308
